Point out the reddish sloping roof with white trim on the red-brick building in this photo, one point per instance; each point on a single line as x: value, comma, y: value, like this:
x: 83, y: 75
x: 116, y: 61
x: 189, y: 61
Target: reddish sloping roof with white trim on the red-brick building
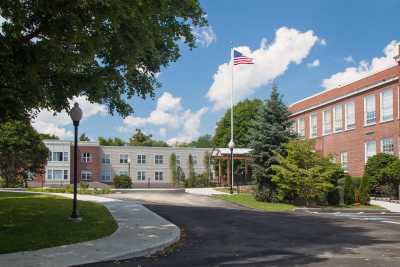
x: 332, y: 95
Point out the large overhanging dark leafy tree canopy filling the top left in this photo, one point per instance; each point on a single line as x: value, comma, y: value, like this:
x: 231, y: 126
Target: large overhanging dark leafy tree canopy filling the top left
x: 109, y: 51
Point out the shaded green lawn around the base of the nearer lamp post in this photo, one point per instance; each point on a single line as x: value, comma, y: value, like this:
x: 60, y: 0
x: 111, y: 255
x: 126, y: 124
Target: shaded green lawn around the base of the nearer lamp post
x: 34, y: 221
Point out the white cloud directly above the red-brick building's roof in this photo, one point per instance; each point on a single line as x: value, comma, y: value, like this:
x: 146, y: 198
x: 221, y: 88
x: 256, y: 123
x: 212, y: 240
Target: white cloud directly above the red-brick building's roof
x: 364, y: 68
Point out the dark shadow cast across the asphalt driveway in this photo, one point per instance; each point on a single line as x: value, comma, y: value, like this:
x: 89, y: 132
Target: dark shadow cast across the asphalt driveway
x: 241, y: 237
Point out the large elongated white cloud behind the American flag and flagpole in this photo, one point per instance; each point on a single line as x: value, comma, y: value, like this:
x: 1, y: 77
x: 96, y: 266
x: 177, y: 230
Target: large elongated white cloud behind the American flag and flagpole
x: 271, y: 60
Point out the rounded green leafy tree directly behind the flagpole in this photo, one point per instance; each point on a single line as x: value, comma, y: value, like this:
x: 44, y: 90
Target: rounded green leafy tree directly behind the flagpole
x: 244, y: 115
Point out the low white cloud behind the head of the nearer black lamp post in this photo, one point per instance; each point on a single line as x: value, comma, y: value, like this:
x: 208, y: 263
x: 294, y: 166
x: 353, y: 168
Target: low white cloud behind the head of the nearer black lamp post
x: 48, y: 122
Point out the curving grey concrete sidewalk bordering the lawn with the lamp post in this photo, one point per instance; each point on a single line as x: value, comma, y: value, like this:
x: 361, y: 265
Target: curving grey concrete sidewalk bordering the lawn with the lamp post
x: 140, y: 232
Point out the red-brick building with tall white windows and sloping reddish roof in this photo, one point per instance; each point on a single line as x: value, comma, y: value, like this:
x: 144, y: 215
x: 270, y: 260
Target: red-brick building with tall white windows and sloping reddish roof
x: 355, y: 121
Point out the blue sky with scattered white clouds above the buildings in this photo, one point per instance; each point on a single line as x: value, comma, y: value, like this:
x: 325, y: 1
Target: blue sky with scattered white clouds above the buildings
x: 349, y: 38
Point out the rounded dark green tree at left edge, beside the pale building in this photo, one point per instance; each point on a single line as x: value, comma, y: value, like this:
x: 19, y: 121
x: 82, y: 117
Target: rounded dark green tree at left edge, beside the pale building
x: 22, y: 152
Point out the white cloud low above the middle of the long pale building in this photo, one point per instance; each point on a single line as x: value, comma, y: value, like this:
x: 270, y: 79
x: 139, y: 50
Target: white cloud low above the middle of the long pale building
x: 170, y: 114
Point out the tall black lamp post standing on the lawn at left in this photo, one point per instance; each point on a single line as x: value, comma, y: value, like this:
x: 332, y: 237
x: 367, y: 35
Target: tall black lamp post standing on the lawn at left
x: 76, y: 116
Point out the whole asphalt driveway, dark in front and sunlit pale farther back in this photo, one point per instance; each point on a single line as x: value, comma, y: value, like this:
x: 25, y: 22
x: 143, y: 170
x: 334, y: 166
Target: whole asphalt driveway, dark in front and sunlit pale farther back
x: 221, y: 234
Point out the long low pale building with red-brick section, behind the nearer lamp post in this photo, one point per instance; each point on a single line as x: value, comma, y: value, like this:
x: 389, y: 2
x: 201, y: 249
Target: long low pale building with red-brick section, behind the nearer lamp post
x: 147, y: 166
